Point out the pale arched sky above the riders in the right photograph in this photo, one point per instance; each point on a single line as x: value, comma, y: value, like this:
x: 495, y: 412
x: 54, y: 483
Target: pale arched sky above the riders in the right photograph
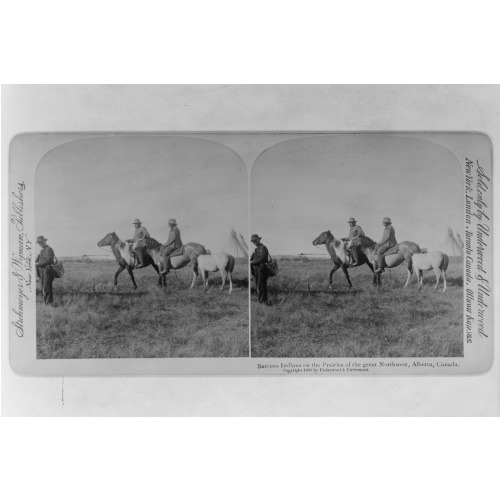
x: 302, y: 187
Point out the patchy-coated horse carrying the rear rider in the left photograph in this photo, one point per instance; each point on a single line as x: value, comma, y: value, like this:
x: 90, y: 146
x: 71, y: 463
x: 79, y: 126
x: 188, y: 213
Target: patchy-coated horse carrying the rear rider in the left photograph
x: 187, y: 255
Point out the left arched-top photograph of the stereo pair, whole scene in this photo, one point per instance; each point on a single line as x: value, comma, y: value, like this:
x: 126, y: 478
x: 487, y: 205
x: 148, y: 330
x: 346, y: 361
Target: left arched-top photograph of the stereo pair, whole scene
x: 141, y: 249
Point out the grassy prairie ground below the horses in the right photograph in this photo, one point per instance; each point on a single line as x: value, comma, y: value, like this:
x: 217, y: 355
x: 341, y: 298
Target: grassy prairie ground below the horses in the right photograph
x: 359, y: 322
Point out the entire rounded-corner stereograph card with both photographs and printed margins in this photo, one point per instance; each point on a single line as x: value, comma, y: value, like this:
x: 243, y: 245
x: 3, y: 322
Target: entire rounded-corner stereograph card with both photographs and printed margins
x: 383, y: 243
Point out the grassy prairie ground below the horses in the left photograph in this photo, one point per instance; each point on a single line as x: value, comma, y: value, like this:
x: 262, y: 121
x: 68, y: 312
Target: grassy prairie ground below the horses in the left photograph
x: 93, y: 320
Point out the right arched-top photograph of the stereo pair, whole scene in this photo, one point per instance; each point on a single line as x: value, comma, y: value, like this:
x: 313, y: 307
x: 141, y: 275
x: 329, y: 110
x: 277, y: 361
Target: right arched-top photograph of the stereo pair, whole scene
x: 357, y: 248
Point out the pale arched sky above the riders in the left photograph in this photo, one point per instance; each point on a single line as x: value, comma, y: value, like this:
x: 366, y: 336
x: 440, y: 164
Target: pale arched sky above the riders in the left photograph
x: 88, y: 188
